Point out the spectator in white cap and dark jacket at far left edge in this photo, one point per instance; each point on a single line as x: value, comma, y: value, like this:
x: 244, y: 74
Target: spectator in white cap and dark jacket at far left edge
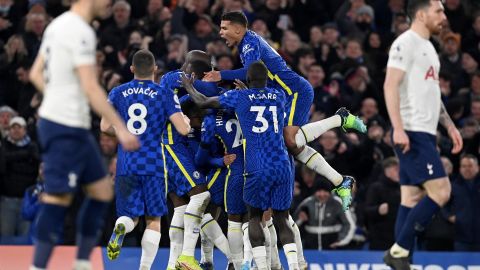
x: 20, y: 160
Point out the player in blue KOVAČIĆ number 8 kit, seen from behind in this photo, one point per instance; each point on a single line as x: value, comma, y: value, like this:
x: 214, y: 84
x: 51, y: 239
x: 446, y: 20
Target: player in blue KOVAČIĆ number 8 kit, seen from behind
x: 140, y: 181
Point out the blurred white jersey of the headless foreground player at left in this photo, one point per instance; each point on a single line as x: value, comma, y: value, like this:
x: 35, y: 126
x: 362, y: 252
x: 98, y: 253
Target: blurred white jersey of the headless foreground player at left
x: 68, y: 42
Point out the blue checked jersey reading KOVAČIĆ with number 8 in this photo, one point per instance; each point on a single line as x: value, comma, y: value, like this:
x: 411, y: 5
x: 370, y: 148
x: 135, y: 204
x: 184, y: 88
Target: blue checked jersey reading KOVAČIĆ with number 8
x: 145, y: 107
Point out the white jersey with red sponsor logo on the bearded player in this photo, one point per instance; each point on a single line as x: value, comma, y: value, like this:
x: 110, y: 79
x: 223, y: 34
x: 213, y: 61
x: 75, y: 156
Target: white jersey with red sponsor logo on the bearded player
x: 420, y: 96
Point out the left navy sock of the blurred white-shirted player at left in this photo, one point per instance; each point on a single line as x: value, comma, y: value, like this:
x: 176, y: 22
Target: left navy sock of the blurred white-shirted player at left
x: 49, y: 229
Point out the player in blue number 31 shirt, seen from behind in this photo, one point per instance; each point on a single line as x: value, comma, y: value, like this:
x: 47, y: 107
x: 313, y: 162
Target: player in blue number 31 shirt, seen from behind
x: 268, y: 181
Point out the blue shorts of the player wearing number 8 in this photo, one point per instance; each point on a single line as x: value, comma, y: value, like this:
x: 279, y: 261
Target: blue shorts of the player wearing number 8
x: 138, y: 196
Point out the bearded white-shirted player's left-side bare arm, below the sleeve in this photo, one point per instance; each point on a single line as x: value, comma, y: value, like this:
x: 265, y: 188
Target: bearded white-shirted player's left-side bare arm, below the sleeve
x: 392, y: 97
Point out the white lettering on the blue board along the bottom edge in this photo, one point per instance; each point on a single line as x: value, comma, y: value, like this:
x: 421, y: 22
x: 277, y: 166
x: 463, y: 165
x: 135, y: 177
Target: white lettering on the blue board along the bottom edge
x: 381, y: 266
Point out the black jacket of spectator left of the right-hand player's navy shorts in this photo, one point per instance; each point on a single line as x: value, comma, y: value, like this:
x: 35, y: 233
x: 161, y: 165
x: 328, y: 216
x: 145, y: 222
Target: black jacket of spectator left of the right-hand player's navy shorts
x: 381, y: 227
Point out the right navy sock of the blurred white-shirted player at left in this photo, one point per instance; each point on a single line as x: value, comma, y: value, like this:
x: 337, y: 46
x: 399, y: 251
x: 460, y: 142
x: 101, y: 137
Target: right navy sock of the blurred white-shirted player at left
x: 89, y: 225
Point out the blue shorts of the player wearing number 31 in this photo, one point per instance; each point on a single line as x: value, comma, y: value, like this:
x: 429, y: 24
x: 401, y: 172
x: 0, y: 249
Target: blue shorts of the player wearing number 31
x: 269, y: 188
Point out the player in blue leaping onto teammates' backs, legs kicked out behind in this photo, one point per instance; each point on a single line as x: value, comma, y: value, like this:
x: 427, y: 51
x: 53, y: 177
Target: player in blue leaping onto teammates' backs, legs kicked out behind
x: 299, y: 92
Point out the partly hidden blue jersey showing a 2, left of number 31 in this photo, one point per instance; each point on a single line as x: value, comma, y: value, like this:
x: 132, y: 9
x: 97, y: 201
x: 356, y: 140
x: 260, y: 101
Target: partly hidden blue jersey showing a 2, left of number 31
x: 224, y: 125
